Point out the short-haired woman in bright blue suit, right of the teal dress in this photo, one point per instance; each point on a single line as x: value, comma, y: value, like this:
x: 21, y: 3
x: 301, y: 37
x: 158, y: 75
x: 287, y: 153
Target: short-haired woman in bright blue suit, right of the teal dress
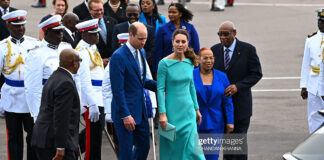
x: 215, y: 108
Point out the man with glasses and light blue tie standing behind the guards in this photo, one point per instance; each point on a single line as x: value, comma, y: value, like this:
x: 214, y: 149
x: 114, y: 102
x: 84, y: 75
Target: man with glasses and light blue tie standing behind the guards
x: 106, y: 24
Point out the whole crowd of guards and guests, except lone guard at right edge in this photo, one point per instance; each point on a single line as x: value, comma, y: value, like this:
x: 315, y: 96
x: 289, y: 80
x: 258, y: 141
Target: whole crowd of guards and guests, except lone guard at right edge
x: 103, y: 62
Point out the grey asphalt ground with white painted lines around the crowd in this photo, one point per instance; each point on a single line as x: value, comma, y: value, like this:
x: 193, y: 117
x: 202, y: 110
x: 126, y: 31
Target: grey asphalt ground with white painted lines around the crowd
x: 278, y: 29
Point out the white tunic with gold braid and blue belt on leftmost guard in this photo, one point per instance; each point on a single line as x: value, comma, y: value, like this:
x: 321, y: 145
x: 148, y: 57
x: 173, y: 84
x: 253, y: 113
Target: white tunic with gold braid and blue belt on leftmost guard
x: 12, y: 92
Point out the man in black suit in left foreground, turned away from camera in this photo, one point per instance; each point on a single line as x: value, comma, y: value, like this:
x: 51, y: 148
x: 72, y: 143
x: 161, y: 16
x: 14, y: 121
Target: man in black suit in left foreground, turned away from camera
x: 55, y: 133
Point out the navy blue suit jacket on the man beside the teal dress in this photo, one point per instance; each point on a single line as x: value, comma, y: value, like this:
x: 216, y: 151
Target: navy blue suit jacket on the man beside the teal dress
x: 127, y: 86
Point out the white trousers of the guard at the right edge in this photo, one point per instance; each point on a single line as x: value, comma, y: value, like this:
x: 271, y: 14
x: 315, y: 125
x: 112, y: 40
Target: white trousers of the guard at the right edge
x: 314, y: 104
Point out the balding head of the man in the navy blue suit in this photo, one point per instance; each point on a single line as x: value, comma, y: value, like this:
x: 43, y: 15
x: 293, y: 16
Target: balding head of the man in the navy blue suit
x: 137, y: 35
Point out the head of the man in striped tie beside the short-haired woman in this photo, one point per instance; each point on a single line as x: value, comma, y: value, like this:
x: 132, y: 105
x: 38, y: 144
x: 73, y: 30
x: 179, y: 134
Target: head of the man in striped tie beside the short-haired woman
x: 227, y: 33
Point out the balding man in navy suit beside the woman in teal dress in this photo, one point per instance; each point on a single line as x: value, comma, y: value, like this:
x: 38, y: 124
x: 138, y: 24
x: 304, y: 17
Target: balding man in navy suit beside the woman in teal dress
x: 127, y: 67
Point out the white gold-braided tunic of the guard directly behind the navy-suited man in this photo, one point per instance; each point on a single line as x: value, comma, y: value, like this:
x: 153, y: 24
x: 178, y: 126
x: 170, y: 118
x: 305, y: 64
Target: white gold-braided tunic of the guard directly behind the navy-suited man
x: 91, y: 75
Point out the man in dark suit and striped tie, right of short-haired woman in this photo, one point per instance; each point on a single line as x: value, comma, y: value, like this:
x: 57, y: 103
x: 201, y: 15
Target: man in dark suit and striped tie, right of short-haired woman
x: 240, y: 62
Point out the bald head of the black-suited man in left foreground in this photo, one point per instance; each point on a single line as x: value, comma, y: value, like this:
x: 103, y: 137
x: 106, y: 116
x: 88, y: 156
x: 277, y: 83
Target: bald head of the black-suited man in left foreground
x: 68, y: 57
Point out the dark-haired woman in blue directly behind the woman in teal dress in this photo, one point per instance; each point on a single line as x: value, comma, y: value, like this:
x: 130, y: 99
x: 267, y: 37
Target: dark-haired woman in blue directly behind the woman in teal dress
x: 179, y: 19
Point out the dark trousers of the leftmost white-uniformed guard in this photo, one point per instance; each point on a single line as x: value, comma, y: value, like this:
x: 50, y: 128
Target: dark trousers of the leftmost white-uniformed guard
x: 16, y: 123
